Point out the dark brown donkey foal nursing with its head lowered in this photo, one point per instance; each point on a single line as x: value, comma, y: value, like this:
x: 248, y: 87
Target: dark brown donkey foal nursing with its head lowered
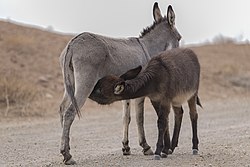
x: 169, y: 79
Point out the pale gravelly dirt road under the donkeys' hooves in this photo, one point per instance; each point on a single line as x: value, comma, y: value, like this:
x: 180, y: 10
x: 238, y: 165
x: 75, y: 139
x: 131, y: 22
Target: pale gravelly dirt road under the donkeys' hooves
x: 224, y: 132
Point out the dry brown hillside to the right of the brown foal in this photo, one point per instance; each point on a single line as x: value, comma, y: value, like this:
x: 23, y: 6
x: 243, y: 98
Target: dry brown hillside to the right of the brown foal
x: 225, y: 71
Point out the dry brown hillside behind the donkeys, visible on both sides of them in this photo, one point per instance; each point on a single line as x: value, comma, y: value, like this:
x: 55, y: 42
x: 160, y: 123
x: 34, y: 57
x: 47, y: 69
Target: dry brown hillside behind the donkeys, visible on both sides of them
x: 31, y: 80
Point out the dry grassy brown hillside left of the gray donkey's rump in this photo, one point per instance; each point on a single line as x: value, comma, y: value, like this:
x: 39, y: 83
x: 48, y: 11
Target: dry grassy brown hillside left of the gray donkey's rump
x: 30, y: 77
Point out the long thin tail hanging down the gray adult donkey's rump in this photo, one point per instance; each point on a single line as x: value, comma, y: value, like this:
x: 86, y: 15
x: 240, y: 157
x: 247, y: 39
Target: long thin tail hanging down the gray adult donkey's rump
x: 67, y: 76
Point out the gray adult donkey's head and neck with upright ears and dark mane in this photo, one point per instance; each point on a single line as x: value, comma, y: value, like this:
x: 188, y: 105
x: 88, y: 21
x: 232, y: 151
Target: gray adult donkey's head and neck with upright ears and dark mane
x: 162, y: 35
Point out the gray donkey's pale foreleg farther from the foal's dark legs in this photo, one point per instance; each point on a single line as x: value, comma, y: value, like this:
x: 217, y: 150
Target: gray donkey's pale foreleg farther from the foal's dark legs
x: 126, y: 120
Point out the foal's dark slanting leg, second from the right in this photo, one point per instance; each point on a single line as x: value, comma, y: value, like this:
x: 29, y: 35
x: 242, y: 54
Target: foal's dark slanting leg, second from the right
x: 178, y: 114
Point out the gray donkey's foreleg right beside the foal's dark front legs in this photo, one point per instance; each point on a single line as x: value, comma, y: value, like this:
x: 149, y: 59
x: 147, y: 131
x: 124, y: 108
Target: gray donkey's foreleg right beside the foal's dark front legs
x: 139, y: 109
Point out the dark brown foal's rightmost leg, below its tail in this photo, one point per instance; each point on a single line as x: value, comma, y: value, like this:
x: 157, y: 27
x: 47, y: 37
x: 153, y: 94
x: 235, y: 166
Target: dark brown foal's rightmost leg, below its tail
x: 194, y: 118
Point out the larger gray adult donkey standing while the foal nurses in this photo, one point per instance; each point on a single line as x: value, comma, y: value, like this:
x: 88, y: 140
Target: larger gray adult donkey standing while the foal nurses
x: 89, y: 57
